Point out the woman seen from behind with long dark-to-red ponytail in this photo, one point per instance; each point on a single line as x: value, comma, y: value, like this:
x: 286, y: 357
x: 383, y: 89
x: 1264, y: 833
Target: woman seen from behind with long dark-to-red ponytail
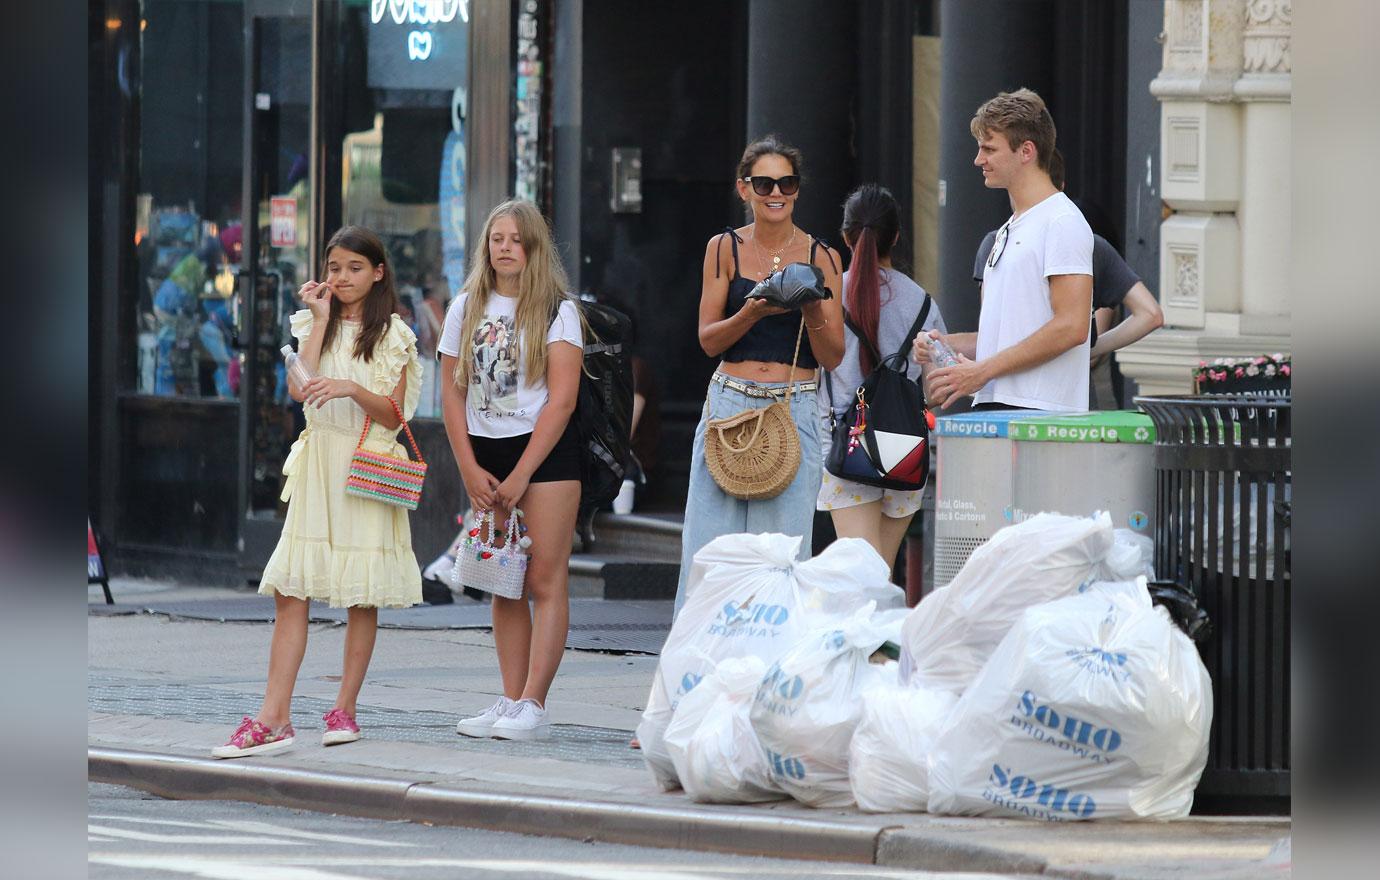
x: 881, y: 306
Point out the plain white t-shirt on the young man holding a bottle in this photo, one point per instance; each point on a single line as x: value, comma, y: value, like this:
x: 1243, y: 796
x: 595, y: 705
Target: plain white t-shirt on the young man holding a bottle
x: 1052, y: 238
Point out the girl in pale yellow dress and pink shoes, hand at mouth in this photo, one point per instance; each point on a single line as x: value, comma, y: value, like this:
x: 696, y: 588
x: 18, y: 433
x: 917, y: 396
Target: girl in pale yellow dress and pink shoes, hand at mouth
x: 343, y: 550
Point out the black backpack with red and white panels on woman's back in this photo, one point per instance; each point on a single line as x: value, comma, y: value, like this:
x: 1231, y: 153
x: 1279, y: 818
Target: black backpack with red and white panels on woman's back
x: 892, y: 450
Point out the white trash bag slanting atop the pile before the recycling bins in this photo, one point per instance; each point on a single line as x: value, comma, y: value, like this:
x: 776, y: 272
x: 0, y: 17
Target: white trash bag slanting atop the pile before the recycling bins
x: 952, y: 634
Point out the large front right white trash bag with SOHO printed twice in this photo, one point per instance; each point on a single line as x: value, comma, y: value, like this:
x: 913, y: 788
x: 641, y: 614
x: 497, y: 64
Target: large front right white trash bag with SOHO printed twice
x: 1095, y: 707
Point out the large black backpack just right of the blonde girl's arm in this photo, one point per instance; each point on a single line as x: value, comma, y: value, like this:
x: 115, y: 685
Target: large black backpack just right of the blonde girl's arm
x: 604, y: 408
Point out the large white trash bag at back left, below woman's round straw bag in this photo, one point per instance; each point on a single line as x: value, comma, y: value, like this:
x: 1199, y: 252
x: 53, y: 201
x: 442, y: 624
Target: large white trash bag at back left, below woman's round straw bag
x: 749, y: 597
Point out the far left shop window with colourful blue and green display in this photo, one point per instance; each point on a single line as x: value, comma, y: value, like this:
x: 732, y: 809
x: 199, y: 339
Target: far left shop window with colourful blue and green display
x: 188, y: 227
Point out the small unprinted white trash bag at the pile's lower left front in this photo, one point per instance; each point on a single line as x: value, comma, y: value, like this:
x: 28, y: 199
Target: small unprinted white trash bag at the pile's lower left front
x: 716, y: 754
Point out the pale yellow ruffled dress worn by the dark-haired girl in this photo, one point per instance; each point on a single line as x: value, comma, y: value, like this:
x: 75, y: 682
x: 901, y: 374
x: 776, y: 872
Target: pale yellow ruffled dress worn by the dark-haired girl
x: 339, y: 548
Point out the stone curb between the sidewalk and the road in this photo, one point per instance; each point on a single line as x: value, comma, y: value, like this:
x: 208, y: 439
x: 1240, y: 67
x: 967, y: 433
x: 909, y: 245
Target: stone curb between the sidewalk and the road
x: 678, y: 828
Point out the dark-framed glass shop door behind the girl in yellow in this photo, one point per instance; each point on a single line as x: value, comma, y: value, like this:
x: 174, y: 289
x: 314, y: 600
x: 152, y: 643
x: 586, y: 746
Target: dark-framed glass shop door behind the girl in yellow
x: 278, y: 256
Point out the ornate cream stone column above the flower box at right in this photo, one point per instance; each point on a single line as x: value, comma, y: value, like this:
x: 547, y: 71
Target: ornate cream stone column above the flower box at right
x: 1225, y: 180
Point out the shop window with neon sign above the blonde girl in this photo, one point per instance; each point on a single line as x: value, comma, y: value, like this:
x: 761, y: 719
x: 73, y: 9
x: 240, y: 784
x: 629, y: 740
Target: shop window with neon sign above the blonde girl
x: 404, y: 154
